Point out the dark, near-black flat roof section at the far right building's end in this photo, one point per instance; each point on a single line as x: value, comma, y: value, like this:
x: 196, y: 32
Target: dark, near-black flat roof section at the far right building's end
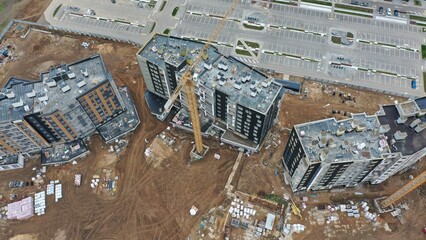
x: 413, y: 141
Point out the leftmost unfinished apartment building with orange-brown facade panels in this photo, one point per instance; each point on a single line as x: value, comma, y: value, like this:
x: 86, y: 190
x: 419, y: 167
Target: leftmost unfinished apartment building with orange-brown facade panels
x: 68, y: 104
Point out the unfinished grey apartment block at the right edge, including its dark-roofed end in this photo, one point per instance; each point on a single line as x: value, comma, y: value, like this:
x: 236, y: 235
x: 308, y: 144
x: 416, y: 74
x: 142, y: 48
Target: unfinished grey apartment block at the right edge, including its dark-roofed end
x: 329, y: 154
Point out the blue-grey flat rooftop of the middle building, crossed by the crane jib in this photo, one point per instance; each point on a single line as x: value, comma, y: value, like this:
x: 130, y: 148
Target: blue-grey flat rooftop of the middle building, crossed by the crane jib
x: 228, y: 75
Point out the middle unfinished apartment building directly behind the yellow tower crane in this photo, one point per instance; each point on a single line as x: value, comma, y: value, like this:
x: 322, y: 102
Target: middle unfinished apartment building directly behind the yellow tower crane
x: 238, y: 100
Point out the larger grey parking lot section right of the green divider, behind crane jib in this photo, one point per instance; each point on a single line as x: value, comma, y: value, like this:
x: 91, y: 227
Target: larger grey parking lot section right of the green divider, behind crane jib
x: 299, y: 39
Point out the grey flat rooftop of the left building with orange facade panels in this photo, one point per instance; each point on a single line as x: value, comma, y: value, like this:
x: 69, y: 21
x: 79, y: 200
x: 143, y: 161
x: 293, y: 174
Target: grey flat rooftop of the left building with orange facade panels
x: 57, y: 90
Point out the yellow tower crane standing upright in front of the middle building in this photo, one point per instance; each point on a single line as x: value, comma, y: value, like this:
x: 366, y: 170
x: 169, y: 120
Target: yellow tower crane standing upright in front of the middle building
x: 187, y: 82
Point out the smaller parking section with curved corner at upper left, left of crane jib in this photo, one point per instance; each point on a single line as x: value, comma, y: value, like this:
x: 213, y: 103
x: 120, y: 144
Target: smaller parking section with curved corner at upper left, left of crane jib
x: 124, y: 19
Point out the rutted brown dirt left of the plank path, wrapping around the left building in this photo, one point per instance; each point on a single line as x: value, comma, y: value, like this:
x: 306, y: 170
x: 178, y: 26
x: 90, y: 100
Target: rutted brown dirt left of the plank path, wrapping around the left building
x: 151, y: 203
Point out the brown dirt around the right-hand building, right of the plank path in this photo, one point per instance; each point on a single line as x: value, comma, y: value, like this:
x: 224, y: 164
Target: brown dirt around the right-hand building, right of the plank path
x: 257, y: 175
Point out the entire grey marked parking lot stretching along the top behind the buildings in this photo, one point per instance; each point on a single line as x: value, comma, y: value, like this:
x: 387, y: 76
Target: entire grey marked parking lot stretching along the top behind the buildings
x: 298, y: 38
